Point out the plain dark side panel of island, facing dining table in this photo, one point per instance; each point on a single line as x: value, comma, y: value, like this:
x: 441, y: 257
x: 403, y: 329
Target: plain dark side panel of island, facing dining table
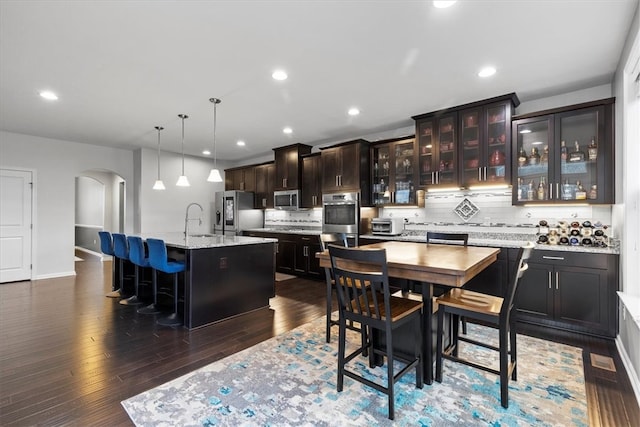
x: 227, y: 281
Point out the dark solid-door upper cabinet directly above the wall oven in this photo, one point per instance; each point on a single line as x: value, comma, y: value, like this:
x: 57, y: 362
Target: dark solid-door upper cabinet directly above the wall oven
x: 345, y: 167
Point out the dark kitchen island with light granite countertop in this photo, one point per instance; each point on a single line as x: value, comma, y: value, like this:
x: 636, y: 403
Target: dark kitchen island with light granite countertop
x: 225, y: 276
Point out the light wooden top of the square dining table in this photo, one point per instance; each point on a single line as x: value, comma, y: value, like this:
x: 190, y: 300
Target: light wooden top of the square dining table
x: 449, y: 265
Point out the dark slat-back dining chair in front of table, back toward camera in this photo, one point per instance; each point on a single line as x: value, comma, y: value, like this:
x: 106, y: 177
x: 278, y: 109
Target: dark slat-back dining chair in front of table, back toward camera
x: 362, y: 287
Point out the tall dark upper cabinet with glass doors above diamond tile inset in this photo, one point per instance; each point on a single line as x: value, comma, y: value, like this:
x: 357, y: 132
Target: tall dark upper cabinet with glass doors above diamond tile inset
x: 467, y: 145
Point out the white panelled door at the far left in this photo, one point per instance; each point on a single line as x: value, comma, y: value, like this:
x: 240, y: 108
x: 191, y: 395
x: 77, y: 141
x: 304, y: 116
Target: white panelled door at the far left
x: 15, y: 225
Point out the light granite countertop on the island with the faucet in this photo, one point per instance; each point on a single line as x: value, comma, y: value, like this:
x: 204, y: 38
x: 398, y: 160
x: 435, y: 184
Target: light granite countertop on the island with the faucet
x: 205, y: 240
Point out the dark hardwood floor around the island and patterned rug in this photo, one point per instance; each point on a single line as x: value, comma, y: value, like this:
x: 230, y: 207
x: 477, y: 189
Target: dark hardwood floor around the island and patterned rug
x: 69, y: 355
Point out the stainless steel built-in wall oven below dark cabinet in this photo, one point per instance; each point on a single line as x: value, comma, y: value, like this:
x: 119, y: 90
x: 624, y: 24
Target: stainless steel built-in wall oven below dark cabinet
x: 341, y: 214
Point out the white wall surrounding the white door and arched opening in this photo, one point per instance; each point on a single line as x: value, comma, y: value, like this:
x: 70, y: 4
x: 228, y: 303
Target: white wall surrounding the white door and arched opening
x: 57, y: 163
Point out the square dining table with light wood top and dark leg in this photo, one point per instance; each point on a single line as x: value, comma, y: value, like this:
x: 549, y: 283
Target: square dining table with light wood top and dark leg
x: 430, y: 265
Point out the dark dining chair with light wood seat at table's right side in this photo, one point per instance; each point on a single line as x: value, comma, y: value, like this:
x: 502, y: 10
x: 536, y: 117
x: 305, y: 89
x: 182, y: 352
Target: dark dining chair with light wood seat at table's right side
x: 491, y: 310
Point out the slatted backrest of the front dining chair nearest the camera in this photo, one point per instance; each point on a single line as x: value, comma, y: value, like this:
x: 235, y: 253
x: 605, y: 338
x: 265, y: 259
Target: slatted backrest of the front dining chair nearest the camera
x: 362, y: 283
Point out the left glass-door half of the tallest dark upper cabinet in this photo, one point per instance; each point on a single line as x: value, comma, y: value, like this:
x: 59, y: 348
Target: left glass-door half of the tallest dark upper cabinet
x: 438, y: 148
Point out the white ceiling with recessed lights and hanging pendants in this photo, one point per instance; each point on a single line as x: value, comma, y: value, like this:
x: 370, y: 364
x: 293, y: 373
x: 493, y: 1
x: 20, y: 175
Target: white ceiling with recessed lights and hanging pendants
x: 122, y: 67
